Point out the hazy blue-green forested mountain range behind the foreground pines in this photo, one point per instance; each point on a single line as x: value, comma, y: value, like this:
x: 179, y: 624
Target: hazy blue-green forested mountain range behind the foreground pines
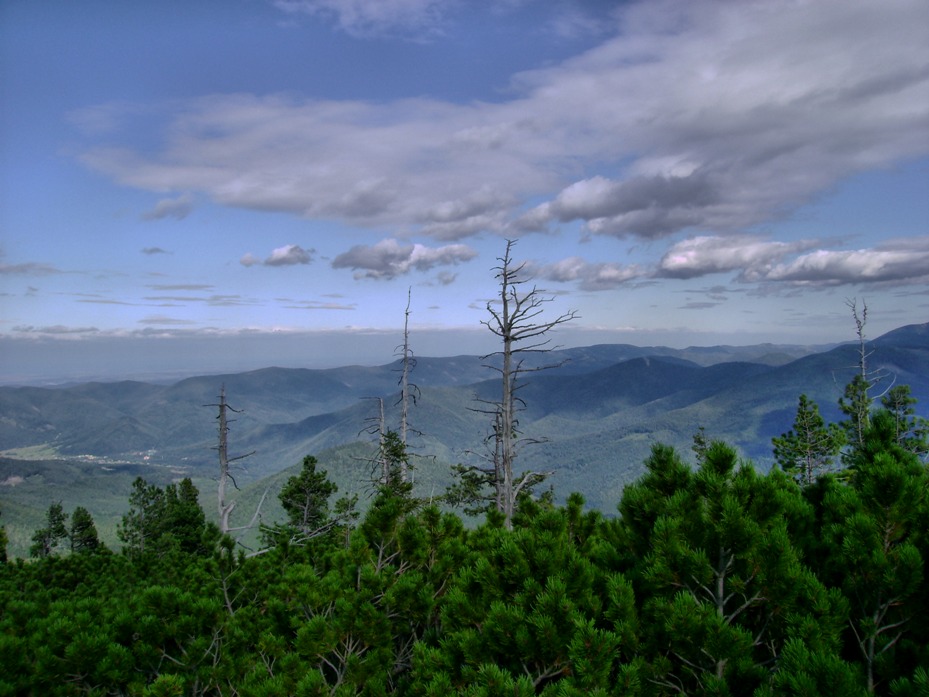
x: 596, y: 414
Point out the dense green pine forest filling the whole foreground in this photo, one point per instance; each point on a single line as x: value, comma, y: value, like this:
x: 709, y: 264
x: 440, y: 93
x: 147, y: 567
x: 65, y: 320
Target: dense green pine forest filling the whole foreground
x: 710, y: 579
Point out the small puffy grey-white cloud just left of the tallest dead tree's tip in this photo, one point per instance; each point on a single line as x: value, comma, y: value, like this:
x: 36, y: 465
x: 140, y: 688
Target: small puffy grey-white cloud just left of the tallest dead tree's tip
x: 388, y: 258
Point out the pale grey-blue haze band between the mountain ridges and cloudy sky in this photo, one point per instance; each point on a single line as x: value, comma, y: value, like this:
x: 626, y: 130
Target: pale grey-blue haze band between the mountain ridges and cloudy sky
x: 50, y: 362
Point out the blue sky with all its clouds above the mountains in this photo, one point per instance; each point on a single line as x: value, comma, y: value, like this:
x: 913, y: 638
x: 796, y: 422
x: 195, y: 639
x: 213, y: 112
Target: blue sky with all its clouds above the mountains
x: 226, y: 185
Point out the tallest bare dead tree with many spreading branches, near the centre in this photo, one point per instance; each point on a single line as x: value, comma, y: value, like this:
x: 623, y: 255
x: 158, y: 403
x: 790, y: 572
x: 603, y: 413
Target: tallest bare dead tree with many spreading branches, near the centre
x: 515, y: 319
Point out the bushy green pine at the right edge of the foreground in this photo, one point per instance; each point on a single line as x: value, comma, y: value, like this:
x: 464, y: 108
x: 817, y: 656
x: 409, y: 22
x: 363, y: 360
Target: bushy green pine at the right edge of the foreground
x: 877, y: 530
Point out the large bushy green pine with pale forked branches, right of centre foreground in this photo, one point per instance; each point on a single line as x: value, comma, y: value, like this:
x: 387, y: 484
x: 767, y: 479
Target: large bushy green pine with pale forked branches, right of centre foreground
x: 719, y: 574
